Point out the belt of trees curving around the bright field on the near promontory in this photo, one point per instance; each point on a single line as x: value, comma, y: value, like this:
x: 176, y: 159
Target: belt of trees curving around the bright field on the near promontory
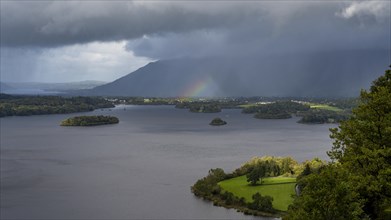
x: 255, y: 169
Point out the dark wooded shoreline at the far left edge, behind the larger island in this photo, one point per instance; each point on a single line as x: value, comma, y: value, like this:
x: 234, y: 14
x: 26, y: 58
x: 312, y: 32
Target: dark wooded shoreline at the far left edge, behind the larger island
x: 11, y: 105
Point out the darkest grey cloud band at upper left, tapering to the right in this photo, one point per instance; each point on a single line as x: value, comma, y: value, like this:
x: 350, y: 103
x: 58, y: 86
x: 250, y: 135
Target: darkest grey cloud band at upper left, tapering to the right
x: 48, y: 24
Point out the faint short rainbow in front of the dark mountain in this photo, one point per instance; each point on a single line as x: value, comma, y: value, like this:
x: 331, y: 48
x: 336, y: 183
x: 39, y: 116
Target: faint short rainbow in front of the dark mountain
x: 201, y: 88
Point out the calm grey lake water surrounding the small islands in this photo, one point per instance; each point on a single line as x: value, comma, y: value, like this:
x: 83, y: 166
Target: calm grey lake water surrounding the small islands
x: 141, y: 168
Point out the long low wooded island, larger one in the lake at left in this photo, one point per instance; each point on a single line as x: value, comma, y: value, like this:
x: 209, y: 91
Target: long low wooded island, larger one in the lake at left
x: 90, y: 120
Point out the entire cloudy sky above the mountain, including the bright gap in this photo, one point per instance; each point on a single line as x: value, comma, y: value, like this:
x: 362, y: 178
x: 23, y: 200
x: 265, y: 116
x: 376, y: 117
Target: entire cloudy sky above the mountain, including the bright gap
x: 62, y: 41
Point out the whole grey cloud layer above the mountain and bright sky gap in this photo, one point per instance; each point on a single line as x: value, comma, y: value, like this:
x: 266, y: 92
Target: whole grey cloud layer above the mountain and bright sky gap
x: 187, y: 26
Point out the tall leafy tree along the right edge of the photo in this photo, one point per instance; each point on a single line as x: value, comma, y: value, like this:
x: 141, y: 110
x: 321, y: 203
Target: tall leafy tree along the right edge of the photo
x: 362, y: 145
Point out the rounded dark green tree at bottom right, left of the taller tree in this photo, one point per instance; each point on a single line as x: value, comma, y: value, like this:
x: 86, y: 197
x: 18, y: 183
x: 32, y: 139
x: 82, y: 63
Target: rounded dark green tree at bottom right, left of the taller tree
x: 326, y: 195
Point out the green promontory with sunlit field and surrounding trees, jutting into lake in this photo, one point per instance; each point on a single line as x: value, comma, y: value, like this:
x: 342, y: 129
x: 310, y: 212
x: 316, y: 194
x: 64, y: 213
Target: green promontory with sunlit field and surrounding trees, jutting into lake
x: 232, y: 190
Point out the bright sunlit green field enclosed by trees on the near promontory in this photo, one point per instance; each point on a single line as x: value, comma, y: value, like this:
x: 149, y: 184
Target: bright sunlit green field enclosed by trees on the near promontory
x: 280, y: 188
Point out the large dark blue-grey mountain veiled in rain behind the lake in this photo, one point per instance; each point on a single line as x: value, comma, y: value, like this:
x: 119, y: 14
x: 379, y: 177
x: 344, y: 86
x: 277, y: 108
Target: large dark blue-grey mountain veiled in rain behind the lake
x: 342, y: 73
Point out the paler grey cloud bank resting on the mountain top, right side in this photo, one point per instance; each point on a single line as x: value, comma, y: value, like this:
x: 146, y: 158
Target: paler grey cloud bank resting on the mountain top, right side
x: 320, y: 27
